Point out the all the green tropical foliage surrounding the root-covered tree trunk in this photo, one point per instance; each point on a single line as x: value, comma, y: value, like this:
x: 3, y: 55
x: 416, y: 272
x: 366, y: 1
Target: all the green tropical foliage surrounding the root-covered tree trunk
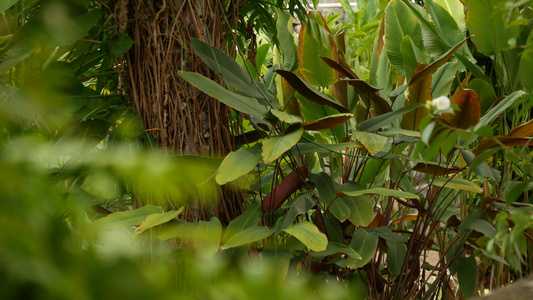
x: 384, y: 155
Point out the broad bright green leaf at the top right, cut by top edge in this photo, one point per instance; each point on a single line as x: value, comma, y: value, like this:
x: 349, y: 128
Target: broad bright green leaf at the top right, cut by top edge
x: 495, y: 27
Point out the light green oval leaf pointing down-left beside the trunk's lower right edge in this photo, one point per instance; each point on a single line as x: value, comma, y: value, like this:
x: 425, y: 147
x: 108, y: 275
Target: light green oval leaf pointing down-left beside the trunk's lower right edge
x: 238, y: 163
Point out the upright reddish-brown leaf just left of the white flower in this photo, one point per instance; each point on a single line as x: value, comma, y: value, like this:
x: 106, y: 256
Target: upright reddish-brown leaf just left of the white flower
x: 419, y: 92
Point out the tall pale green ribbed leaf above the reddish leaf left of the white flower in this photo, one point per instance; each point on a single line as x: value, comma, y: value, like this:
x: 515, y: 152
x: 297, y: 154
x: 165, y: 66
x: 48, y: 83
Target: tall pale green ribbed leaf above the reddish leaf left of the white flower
x: 399, y: 22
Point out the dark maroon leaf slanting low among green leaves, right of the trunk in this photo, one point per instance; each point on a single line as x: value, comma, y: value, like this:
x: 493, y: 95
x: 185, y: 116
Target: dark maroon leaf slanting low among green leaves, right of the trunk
x: 285, y: 189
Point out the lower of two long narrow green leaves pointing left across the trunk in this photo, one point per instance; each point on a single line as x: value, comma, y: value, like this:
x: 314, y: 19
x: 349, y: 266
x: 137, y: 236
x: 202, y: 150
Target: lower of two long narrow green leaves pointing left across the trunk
x: 241, y: 103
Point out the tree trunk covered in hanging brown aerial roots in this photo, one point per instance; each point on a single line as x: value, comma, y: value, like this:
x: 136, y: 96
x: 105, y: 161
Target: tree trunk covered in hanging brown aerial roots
x: 181, y: 119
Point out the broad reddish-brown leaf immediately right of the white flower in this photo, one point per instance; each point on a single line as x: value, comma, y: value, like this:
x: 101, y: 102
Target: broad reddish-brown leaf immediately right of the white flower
x: 470, y: 110
